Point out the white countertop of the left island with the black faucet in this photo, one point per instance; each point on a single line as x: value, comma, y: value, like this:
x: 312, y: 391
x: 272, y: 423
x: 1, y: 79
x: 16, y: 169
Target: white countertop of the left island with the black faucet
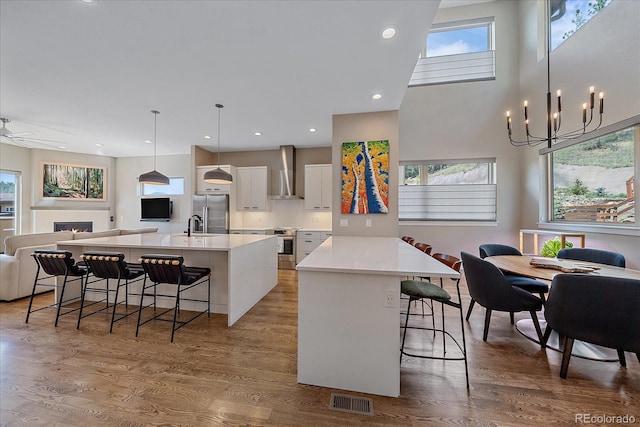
x: 211, y: 242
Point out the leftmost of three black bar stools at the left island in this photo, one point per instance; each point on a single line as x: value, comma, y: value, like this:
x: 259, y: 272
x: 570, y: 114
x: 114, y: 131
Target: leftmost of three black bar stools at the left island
x: 54, y: 264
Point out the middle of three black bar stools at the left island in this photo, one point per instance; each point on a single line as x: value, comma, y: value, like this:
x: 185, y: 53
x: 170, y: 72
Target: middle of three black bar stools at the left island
x: 104, y: 266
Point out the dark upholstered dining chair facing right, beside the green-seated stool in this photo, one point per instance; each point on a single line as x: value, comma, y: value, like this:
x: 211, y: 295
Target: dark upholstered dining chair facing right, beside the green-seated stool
x: 489, y: 288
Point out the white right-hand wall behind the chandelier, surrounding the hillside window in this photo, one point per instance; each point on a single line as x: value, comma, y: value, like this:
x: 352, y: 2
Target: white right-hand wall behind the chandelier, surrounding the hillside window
x: 603, y: 53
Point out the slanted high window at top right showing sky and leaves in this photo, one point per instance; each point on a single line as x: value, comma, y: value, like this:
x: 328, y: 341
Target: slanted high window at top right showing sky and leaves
x: 567, y: 16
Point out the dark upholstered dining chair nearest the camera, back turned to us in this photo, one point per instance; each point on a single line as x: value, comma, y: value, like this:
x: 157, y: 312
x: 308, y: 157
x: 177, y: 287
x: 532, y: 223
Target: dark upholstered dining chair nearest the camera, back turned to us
x: 595, y: 309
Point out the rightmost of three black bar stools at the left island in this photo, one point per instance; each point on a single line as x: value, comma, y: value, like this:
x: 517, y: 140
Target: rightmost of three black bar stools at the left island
x: 170, y: 269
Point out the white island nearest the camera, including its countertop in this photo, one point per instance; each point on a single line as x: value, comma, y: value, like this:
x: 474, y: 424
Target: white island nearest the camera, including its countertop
x: 349, y: 315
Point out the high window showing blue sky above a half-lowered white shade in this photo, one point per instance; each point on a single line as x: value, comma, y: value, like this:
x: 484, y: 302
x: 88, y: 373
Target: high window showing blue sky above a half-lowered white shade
x: 455, y: 52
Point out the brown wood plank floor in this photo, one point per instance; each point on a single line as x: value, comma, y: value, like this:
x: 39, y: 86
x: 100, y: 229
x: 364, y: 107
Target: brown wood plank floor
x: 246, y: 375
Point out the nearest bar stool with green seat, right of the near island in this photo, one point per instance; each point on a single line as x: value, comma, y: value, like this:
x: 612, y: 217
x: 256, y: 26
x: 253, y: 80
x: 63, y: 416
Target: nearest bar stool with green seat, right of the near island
x: 419, y: 290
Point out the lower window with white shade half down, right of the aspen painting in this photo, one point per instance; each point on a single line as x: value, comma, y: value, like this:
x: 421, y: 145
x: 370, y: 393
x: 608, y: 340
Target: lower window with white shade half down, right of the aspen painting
x: 455, y: 190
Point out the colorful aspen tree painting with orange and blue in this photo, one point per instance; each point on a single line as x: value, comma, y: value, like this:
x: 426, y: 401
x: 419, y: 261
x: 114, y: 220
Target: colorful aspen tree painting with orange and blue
x: 365, y: 177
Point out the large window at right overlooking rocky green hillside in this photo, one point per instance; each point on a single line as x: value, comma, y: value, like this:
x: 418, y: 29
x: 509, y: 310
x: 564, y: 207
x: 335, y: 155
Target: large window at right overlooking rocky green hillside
x: 594, y: 181
